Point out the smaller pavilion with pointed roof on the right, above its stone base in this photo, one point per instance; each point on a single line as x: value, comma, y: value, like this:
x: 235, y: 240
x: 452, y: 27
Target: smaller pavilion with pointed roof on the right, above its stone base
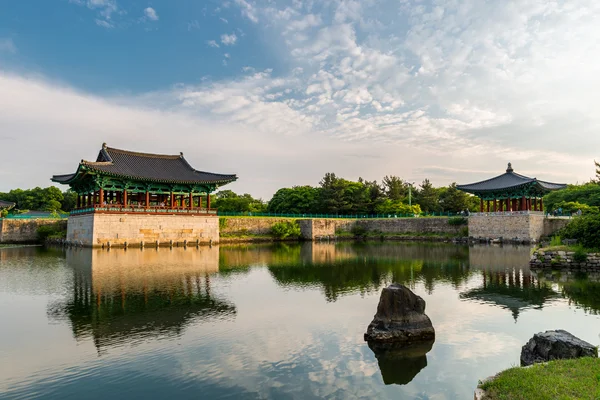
x: 511, y: 192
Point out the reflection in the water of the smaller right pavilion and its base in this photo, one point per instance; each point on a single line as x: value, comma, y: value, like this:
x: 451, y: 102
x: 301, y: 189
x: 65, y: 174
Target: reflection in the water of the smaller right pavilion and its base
x: 507, y: 281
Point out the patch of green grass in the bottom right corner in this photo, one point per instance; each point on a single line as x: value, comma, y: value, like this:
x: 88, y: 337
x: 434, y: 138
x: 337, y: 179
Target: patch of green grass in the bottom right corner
x: 560, y: 379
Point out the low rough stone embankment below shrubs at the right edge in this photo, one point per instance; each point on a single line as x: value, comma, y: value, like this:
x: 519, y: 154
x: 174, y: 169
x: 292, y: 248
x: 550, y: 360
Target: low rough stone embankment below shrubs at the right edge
x: 565, y: 259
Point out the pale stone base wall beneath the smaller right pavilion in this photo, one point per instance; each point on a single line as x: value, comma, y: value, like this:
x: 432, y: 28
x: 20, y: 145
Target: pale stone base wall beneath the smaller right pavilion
x: 523, y: 227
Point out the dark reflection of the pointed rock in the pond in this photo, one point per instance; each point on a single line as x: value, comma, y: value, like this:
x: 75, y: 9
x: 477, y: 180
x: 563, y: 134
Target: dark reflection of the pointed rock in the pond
x: 399, y: 365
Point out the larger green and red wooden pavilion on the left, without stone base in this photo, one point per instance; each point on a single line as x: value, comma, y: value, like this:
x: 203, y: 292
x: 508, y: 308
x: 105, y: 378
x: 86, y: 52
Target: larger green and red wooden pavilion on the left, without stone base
x: 121, y: 180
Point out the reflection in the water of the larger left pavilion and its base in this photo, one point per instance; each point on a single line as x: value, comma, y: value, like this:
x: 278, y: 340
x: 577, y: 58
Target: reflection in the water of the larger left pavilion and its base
x: 129, y: 296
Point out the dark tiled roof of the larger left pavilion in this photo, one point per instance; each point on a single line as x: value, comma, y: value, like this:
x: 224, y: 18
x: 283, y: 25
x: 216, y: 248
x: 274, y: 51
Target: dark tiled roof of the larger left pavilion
x: 148, y: 167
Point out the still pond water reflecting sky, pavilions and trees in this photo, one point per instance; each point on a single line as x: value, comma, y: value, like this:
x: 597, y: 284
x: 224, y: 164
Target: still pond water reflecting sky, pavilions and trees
x: 270, y: 321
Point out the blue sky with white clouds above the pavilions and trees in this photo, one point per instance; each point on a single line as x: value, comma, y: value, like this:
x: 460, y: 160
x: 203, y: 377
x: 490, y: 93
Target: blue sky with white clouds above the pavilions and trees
x: 282, y: 92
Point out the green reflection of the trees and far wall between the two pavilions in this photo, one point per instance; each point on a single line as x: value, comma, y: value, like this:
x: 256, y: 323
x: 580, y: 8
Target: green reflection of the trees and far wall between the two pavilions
x: 348, y: 268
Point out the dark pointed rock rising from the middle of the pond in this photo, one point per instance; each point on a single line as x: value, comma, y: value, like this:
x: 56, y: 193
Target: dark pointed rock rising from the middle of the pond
x: 400, y: 318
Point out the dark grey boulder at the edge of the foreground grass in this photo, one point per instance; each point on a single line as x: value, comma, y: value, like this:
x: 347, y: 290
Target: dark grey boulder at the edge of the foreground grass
x: 555, y: 345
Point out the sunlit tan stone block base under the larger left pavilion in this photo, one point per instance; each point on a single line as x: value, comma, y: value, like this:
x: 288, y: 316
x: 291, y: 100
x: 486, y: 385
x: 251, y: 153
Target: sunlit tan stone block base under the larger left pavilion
x: 134, y: 229
